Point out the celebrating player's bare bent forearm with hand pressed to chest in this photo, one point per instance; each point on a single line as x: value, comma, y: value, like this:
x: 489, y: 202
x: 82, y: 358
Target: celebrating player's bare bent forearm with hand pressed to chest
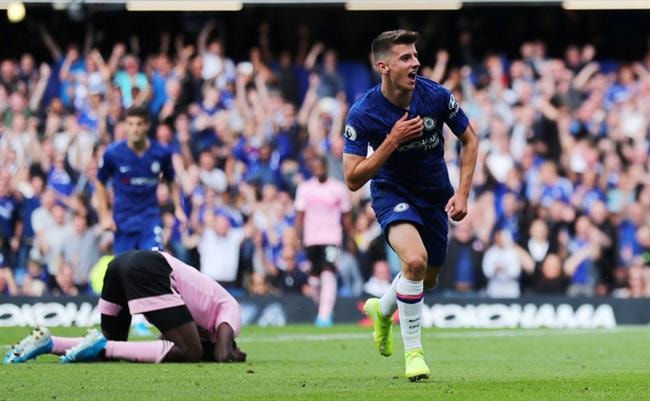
x: 359, y: 169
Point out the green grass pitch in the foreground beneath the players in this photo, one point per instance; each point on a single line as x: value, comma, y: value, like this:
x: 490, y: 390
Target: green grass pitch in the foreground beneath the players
x: 304, y: 363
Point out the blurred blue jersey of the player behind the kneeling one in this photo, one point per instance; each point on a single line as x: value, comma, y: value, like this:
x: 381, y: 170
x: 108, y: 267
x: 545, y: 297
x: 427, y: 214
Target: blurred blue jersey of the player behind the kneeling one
x: 135, y: 179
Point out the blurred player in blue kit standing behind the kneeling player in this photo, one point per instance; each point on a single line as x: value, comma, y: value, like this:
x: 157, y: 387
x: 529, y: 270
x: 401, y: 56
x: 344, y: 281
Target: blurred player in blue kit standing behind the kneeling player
x: 135, y: 167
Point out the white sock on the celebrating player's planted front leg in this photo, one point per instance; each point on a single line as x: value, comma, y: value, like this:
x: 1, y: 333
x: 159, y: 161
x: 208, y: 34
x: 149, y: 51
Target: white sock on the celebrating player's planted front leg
x: 409, y: 303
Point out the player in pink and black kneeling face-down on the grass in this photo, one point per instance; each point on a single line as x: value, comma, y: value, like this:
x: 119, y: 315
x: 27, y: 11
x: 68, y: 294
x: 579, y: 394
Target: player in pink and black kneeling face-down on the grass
x: 197, y: 318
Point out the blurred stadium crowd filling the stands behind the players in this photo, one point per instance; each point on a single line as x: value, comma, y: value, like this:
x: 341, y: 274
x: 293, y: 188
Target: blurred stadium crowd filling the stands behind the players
x: 559, y: 204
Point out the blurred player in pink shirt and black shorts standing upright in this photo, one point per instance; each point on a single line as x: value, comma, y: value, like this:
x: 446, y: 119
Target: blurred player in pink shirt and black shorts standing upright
x: 323, y: 214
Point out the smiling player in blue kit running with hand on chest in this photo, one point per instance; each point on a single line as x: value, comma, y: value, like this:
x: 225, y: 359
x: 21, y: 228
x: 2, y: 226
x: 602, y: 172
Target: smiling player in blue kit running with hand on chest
x: 402, y: 119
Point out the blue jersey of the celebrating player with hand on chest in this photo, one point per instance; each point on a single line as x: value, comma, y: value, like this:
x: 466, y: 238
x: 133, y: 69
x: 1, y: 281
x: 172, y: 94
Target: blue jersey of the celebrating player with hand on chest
x: 417, y: 166
